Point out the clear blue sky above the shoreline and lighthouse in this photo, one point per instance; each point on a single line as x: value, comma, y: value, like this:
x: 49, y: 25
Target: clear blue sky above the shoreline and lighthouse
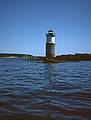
x: 24, y: 24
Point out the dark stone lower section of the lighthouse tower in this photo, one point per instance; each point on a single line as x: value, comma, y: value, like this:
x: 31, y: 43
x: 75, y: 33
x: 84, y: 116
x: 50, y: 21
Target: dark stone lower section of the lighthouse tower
x: 50, y: 50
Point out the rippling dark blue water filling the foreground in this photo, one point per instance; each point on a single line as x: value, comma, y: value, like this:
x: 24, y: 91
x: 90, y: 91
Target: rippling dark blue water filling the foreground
x: 59, y: 91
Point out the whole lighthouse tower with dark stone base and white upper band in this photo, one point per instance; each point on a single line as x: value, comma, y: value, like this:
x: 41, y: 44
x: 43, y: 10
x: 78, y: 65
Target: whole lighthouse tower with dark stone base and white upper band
x: 50, y: 44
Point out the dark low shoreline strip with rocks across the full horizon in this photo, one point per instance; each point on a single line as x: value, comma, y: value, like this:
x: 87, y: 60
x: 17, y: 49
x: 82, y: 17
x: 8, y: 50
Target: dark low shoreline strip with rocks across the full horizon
x: 57, y: 59
